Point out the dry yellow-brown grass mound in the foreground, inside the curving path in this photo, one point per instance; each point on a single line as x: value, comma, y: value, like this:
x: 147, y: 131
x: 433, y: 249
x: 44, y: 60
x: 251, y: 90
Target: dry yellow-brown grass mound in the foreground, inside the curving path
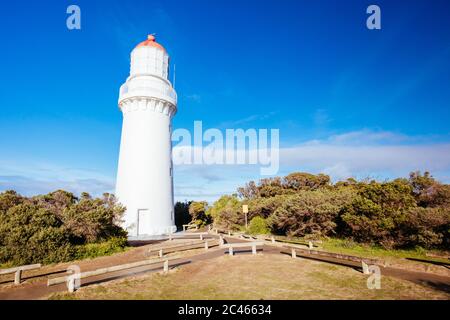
x: 264, y: 276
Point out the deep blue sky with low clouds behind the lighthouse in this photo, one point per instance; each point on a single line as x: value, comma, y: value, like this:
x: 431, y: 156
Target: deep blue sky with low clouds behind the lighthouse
x: 348, y: 101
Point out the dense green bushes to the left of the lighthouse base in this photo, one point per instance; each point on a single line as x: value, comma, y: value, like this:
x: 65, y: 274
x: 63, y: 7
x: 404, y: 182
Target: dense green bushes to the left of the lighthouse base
x: 54, y: 227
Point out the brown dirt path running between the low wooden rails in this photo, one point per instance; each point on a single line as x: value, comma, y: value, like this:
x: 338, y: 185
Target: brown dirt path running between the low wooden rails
x: 37, y: 289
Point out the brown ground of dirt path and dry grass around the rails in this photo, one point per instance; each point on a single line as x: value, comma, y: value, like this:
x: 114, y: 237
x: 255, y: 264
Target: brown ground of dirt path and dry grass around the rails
x: 213, y: 274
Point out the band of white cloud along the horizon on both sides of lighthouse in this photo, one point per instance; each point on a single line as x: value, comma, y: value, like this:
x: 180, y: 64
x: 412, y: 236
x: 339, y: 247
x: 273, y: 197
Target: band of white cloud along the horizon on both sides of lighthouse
x: 358, y: 154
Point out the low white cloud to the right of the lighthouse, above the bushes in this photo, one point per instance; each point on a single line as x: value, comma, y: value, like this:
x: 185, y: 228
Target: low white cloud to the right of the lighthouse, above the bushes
x: 360, y: 154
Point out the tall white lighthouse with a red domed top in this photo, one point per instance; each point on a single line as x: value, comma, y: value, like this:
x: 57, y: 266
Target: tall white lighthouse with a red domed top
x: 144, y: 182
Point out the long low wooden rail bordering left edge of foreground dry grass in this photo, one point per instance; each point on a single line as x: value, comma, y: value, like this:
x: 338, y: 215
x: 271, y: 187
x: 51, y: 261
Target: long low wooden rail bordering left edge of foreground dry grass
x: 70, y: 279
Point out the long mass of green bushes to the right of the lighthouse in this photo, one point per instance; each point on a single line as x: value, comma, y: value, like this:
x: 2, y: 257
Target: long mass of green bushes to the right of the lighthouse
x: 402, y: 213
